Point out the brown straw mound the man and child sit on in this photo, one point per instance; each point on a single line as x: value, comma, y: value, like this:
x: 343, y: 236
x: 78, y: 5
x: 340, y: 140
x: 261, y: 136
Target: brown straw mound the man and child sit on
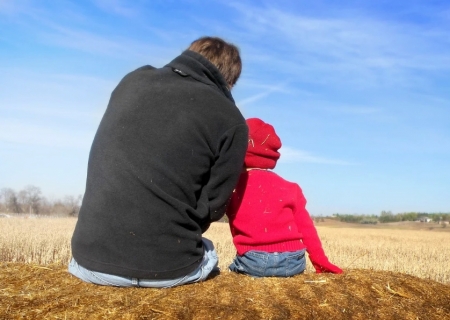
x: 49, y: 292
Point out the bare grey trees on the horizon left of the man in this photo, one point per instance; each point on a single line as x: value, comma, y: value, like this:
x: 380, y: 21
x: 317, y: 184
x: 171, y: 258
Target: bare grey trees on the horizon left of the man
x: 30, y: 200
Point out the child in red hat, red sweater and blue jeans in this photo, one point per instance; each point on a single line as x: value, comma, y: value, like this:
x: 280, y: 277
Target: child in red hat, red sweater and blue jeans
x: 269, y: 223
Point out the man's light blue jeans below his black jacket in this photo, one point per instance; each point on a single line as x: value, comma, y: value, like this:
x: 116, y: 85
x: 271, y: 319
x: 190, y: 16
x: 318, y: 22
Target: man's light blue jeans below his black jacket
x: 208, y: 265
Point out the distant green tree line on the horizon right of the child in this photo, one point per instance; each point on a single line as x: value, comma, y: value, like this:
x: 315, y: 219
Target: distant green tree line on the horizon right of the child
x: 388, y: 216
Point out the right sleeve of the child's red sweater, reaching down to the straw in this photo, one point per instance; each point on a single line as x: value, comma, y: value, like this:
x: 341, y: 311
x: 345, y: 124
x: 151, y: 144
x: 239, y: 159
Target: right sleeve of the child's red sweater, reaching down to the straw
x: 311, y: 238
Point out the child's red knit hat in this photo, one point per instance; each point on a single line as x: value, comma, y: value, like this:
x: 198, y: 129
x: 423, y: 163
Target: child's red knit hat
x: 263, y: 145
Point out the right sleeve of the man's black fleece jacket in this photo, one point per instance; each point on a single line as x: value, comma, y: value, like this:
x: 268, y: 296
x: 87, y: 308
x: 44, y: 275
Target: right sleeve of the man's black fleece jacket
x: 225, y: 172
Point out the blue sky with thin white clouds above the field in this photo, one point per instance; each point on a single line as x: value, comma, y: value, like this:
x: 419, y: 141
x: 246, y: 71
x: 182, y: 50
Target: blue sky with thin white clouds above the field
x: 358, y: 91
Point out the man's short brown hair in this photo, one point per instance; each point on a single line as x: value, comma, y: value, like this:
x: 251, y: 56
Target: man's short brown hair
x: 225, y: 56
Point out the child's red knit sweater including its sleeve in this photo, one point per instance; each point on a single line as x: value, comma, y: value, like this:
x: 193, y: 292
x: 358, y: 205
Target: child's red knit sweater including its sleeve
x: 268, y: 213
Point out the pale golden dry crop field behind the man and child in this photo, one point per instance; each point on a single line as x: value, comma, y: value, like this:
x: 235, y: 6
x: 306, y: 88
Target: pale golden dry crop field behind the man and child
x: 410, y: 248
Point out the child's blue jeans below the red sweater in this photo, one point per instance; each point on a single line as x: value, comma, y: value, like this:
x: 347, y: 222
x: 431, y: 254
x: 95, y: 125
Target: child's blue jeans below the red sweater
x: 269, y: 264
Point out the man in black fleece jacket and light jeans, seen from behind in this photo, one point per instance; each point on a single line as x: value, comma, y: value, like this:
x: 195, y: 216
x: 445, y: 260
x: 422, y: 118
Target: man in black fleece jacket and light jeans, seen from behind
x: 163, y: 164
